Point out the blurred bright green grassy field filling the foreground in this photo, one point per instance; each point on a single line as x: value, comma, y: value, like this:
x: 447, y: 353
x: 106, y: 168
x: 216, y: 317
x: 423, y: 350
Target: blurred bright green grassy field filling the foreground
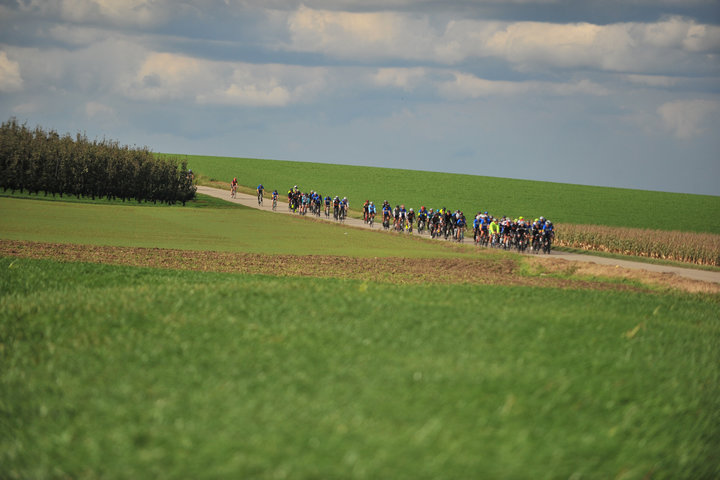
x: 123, y: 372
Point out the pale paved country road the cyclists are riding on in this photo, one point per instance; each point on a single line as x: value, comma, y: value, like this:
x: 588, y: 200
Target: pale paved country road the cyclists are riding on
x: 703, y: 275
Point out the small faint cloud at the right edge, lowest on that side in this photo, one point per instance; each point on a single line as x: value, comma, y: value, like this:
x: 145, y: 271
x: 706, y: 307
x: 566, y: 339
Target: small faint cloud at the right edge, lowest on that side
x: 687, y: 119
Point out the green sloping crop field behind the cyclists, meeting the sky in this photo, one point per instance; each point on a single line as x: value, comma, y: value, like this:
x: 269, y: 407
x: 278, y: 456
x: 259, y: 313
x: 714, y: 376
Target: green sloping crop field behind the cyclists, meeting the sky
x: 563, y: 203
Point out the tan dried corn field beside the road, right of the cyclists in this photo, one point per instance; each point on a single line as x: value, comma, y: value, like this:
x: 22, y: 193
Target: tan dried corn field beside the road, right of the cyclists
x: 688, y: 247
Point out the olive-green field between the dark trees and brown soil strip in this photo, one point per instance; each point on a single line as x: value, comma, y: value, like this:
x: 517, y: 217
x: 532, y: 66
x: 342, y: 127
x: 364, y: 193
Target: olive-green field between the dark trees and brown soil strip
x: 234, y: 229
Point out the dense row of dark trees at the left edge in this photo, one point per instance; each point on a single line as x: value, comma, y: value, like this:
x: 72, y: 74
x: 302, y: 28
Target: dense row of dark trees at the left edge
x: 37, y: 161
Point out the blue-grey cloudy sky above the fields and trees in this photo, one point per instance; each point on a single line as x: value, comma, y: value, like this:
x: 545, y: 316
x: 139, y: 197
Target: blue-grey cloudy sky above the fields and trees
x: 621, y: 93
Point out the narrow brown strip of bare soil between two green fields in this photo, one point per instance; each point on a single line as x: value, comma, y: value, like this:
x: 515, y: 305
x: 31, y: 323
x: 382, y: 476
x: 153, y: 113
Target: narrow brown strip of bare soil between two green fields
x: 543, y: 272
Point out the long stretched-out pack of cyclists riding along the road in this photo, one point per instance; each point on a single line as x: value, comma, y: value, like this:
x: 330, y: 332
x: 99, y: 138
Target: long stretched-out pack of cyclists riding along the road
x: 503, y: 232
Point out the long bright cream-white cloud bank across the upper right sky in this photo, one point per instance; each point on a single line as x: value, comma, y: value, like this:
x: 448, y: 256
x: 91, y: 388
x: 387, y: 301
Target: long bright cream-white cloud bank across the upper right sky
x: 667, y: 45
